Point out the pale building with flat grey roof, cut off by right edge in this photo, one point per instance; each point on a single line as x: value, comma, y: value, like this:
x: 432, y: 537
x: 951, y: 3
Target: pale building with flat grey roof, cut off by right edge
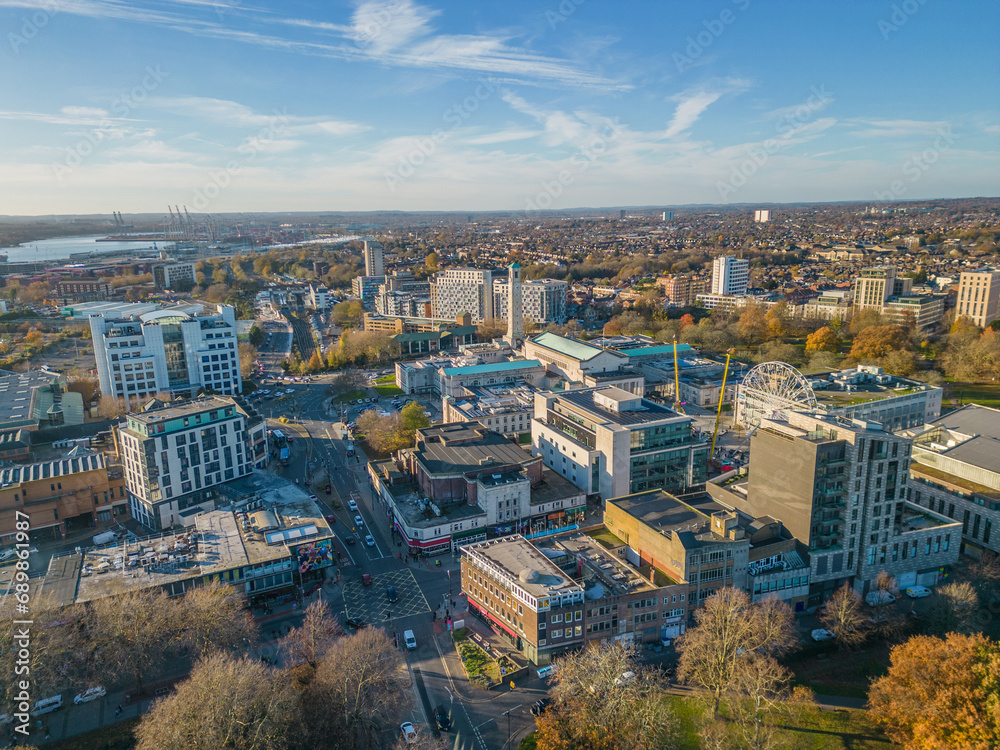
x: 955, y: 471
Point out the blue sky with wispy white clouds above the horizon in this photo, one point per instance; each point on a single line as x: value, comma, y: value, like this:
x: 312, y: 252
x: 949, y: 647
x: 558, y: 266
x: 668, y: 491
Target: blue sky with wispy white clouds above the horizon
x: 247, y: 105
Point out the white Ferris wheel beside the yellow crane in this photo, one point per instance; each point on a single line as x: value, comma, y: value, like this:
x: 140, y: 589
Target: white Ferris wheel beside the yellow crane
x: 769, y: 391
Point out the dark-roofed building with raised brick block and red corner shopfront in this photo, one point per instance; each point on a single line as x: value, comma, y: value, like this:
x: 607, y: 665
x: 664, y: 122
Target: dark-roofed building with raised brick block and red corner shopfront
x: 463, y: 483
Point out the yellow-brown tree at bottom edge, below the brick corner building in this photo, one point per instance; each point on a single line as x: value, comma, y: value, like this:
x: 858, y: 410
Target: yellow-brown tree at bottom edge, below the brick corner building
x: 598, y: 705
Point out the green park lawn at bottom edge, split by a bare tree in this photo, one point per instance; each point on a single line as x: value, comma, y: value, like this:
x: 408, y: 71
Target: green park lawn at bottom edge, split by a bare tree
x: 802, y: 728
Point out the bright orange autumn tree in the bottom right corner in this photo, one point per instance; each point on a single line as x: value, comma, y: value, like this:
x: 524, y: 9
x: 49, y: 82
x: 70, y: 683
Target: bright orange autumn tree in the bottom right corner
x: 941, y: 694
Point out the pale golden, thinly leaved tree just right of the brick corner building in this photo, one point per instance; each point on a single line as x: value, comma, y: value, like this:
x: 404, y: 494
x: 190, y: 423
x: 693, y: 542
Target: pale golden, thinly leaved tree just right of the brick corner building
x: 730, y: 632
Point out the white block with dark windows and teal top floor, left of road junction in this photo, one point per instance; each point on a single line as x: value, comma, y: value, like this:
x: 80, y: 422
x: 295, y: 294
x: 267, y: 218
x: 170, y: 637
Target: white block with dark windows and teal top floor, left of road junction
x: 175, y: 457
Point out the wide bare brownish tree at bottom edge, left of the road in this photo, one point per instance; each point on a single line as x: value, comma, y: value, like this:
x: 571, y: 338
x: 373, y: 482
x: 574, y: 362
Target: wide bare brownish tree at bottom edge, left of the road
x: 228, y: 703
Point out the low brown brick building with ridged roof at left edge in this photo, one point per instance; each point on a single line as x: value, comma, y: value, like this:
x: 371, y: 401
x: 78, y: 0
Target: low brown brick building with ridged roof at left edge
x: 60, y: 495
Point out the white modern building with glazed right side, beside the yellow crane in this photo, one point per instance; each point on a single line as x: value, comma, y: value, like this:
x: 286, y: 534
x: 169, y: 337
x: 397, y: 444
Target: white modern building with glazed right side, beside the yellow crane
x: 614, y: 443
